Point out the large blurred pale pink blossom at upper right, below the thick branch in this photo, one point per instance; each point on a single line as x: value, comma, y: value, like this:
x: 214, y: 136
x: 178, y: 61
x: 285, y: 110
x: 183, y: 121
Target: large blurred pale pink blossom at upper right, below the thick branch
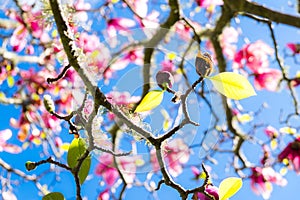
x: 254, y: 56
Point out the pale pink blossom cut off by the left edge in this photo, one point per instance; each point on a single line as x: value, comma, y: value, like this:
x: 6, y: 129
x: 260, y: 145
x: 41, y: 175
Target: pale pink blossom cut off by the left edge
x: 10, y: 148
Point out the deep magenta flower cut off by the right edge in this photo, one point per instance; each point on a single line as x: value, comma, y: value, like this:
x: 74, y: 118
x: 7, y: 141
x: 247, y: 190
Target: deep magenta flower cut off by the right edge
x: 292, y: 153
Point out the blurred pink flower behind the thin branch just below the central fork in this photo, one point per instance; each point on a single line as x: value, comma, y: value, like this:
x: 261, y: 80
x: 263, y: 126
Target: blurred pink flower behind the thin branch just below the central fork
x: 176, y: 153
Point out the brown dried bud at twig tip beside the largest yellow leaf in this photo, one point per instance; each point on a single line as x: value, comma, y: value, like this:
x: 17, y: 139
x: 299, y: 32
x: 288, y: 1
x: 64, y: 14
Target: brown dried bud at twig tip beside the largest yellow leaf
x: 204, y: 64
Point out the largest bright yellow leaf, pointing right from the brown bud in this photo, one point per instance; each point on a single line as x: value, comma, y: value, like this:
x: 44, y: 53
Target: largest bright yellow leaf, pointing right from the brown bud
x: 232, y: 85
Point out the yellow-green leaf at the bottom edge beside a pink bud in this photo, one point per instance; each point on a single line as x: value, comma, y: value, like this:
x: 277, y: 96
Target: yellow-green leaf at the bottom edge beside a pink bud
x: 229, y: 186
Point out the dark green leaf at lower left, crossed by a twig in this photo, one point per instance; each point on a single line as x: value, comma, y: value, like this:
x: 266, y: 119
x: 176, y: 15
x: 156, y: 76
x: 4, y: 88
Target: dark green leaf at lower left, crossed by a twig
x: 76, y: 150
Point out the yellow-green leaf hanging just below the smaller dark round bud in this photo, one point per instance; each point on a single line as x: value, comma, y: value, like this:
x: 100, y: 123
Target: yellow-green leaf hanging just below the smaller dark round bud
x: 150, y: 101
